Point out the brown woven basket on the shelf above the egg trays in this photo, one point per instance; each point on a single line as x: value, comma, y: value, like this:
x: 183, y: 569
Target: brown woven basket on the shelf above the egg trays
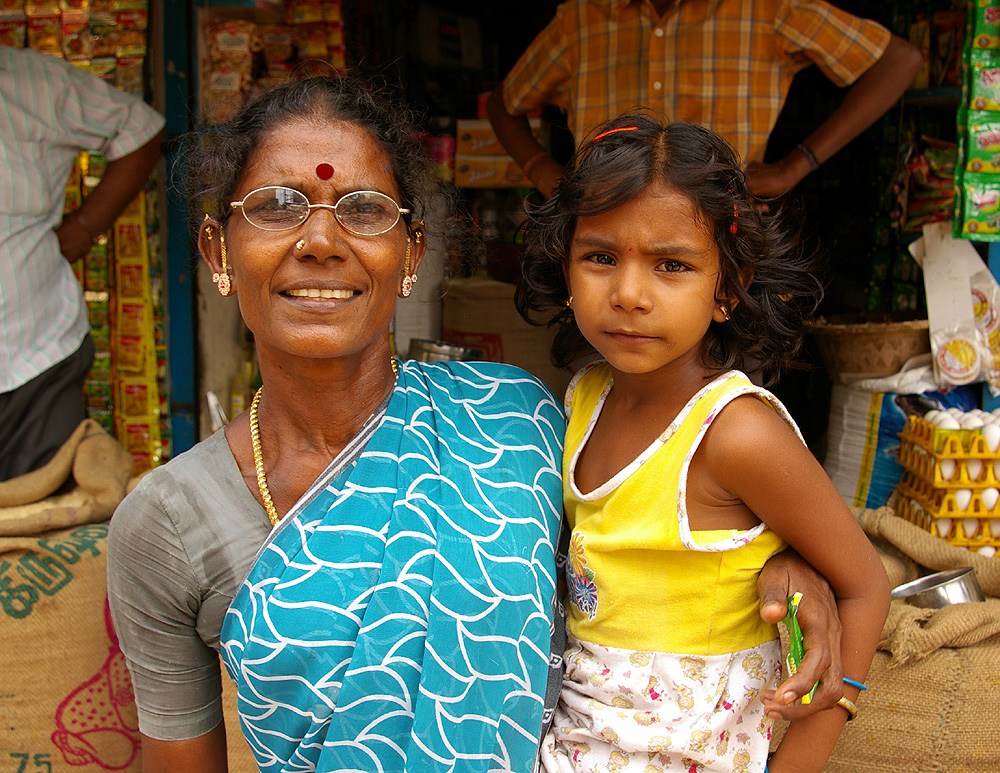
x: 852, y: 350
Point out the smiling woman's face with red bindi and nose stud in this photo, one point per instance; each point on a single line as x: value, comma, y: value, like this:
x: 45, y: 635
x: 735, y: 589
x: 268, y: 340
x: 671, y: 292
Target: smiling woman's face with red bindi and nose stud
x: 317, y: 290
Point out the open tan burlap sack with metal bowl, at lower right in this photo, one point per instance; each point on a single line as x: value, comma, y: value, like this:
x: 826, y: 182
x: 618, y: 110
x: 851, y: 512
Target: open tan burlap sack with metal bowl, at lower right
x: 935, y: 681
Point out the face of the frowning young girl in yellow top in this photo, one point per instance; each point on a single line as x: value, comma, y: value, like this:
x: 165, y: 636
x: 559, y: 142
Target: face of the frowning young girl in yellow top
x: 644, y: 281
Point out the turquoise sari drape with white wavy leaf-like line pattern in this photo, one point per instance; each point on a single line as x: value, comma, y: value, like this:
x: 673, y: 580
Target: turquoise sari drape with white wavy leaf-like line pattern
x: 399, y: 617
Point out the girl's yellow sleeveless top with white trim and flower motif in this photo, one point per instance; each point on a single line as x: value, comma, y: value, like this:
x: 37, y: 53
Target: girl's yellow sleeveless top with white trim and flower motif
x: 638, y: 577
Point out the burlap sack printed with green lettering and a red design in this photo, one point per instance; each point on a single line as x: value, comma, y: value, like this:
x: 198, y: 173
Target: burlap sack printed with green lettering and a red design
x: 66, y: 702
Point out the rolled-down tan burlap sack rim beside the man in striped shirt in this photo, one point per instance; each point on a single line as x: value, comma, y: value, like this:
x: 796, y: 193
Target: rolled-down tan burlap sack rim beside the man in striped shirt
x: 100, y: 468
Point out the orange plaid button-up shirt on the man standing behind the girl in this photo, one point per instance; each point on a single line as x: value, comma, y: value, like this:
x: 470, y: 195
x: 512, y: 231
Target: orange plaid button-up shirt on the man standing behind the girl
x: 724, y: 64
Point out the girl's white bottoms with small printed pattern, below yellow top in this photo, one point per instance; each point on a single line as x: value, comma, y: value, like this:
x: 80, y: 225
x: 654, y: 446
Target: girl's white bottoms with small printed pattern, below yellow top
x: 652, y: 711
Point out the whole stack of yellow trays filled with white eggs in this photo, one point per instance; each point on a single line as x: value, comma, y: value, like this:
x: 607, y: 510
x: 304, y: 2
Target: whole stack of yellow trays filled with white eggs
x: 951, y: 483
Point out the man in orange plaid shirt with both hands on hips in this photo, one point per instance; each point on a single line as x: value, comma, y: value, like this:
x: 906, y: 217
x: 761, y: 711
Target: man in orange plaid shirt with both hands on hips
x: 724, y: 64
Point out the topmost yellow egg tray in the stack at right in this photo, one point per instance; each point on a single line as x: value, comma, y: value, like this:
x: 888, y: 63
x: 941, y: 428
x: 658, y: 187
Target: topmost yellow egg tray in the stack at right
x: 948, y: 458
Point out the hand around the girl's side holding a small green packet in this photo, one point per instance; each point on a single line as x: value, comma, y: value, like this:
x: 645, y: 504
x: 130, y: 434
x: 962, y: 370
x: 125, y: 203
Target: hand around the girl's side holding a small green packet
x: 782, y: 575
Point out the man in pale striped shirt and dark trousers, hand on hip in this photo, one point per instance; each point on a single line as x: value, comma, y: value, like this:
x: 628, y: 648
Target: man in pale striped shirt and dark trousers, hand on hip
x: 49, y: 112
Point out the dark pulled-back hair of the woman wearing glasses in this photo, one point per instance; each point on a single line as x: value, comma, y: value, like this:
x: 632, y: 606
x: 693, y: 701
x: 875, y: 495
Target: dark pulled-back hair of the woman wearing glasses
x: 217, y: 158
